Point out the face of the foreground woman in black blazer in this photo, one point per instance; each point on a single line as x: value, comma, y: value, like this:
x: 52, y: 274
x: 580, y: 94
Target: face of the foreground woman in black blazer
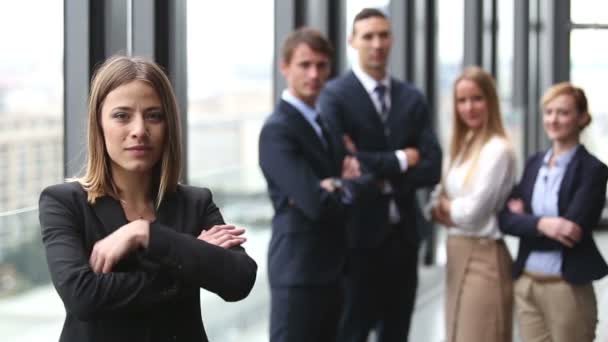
x: 133, y: 125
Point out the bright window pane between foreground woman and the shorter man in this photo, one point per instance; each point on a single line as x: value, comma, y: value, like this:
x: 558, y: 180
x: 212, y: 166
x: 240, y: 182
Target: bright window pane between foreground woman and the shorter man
x: 230, y: 72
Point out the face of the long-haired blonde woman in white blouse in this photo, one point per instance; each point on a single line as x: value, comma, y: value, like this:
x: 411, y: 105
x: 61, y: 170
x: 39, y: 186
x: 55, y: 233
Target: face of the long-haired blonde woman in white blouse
x: 471, y: 104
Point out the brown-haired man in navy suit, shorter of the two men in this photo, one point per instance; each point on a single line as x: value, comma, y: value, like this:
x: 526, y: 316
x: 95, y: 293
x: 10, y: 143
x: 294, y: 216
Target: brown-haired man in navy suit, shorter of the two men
x: 310, y: 182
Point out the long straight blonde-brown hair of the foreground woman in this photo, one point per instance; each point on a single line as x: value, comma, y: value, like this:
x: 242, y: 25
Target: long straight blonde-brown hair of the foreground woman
x: 114, y: 72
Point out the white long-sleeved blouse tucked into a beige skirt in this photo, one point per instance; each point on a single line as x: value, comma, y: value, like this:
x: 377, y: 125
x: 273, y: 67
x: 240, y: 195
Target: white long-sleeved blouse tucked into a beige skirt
x: 474, y: 206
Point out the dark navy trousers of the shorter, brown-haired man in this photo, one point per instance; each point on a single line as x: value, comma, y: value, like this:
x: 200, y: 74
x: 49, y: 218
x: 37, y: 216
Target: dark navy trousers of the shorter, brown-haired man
x: 305, y: 313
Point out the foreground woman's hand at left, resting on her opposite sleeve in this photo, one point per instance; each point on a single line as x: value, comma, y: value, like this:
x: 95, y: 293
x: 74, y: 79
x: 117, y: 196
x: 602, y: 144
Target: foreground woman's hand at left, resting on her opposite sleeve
x: 111, y: 249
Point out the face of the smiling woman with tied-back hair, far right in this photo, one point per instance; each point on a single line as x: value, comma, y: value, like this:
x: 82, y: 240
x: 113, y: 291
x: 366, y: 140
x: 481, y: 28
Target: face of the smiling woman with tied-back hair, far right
x: 561, y: 120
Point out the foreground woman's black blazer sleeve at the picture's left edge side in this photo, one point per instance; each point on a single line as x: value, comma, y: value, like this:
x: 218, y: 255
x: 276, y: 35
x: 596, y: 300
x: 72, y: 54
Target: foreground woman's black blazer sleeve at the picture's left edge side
x: 86, y: 294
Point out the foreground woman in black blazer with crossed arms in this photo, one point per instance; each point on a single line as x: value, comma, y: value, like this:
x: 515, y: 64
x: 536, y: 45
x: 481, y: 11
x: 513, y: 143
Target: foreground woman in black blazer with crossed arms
x: 128, y: 247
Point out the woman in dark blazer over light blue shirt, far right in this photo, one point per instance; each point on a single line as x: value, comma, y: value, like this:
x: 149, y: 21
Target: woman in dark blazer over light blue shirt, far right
x: 553, y: 210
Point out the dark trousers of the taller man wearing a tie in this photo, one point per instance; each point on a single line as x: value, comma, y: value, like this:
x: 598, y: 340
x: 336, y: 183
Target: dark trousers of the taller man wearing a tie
x: 380, y: 290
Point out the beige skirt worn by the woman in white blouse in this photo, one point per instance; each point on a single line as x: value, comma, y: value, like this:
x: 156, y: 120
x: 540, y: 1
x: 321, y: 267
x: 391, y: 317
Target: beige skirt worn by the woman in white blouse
x: 479, y: 305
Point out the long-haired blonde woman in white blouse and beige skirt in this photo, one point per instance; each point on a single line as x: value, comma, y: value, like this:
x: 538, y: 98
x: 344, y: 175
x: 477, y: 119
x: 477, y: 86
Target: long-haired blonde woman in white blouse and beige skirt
x: 478, y: 179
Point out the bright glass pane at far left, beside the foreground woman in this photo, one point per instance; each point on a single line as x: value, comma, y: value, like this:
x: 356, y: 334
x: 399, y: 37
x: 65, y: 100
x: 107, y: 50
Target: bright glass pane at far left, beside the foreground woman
x: 31, y: 157
